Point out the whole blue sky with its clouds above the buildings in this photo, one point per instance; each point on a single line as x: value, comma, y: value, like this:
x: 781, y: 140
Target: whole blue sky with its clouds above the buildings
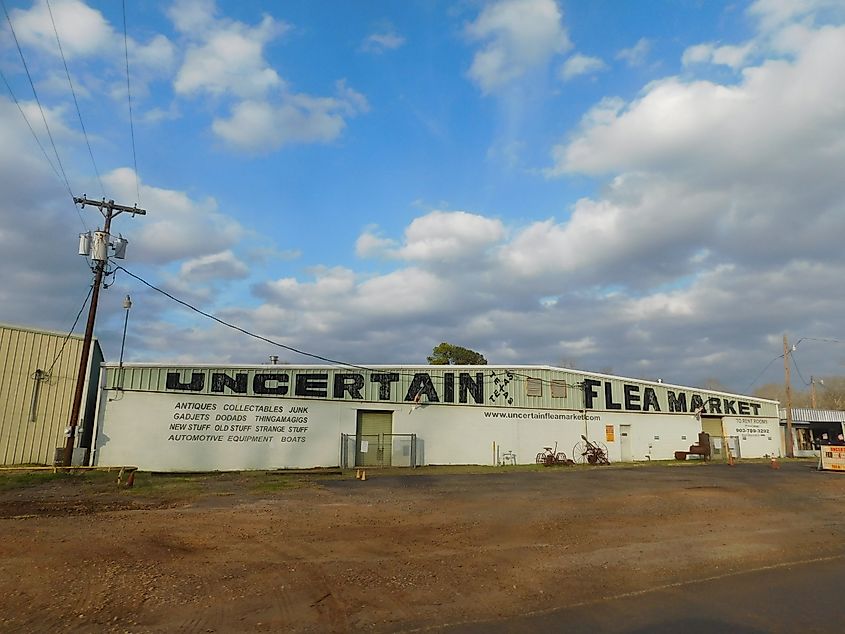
x: 652, y: 188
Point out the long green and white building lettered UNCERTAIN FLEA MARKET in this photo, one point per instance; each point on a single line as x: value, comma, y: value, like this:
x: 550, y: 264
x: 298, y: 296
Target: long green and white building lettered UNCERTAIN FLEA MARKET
x: 275, y: 416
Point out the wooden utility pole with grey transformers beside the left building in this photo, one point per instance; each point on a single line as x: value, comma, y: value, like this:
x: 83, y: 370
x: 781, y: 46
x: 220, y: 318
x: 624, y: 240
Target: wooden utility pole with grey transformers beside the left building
x: 101, y: 257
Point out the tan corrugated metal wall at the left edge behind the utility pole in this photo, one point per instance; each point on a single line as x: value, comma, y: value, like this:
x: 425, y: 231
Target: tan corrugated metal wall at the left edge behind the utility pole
x: 22, y: 352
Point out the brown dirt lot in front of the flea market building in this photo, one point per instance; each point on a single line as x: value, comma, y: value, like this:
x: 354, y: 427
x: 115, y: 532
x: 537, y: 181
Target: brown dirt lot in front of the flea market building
x: 264, y: 552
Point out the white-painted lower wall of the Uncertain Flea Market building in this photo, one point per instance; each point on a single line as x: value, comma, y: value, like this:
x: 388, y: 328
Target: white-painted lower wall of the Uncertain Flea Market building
x: 143, y: 429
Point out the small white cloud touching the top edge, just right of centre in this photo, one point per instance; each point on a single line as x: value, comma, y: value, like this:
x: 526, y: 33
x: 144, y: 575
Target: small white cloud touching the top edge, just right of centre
x: 517, y: 36
